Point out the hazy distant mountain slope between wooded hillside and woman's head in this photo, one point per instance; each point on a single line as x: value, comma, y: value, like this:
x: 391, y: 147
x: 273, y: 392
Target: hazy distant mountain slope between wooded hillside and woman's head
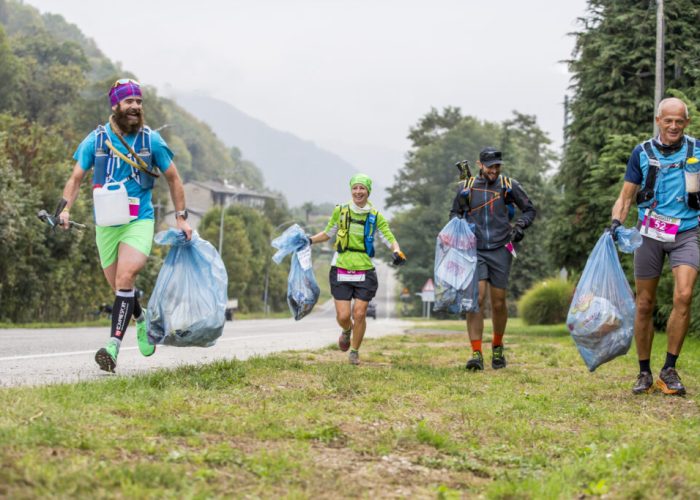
x: 299, y: 169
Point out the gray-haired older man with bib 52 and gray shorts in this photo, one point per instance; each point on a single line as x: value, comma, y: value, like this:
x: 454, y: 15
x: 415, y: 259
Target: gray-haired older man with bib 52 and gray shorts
x: 662, y: 178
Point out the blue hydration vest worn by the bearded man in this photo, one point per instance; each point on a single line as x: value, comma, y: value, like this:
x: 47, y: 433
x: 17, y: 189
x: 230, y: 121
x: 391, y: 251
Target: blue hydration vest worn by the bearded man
x: 106, y: 161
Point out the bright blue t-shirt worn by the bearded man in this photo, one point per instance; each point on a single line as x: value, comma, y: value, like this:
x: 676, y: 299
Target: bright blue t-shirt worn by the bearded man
x: 160, y: 152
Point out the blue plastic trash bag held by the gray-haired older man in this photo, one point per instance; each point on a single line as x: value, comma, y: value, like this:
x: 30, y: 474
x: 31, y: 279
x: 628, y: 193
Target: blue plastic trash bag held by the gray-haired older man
x: 601, y: 315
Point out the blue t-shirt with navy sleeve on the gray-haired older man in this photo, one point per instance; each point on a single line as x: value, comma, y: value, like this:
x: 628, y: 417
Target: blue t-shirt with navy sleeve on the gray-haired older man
x: 669, y: 191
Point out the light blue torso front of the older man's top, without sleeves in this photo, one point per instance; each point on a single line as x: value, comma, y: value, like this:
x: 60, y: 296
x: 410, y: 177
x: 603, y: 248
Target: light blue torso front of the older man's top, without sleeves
x: 669, y: 195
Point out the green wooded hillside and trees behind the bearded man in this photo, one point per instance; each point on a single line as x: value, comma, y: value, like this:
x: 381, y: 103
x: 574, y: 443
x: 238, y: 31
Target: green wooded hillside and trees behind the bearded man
x: 53, y: 91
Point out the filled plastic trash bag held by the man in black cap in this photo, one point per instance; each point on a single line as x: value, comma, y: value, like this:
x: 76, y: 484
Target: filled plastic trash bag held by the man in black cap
x: 455, y: 276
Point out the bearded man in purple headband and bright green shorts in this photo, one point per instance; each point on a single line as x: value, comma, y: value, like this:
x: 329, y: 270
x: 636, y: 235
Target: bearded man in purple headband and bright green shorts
x: 127, y: 157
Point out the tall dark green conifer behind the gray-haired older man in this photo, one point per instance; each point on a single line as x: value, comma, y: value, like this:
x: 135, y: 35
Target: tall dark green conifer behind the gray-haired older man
x: 613, y: 85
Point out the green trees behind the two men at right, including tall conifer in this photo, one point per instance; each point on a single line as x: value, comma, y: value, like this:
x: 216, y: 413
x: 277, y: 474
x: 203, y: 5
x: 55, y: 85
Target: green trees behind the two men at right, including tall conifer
x: 612, y: 68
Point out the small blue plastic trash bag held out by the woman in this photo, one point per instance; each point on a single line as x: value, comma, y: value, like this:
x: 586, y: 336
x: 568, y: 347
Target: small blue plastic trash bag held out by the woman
x: 302, y: 288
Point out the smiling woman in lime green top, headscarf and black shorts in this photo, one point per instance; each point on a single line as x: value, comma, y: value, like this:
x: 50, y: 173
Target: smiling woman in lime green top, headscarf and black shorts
x: 355, y: 226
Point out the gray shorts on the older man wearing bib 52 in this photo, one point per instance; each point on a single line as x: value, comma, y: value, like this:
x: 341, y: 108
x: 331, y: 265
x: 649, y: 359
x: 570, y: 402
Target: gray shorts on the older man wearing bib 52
x: 649, y: 258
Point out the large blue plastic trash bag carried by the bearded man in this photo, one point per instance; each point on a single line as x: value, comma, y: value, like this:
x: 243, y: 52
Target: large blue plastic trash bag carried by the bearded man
x: 188, y: 303
